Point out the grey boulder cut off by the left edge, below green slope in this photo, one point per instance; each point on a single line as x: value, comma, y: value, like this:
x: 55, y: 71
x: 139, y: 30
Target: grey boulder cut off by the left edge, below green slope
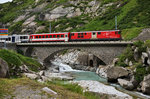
x: 4, y: 70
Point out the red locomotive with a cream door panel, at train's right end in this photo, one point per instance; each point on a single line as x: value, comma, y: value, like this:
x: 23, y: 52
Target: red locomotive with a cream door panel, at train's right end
x: 96, y: 35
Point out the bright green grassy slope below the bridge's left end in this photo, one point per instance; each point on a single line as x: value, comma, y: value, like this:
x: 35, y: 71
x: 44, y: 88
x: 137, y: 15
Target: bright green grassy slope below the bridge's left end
x: 15, y: 59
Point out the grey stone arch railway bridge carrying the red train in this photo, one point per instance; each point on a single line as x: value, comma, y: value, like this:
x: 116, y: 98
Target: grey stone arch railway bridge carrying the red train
x: 105, y: 51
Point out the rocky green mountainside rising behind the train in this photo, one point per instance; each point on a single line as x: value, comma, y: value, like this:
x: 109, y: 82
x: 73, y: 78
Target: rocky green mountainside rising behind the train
x: 29, y: 16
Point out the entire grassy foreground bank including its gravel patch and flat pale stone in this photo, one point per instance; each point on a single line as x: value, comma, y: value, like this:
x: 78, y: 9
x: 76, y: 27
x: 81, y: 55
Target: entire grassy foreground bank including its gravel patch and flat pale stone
x: 25, y: 88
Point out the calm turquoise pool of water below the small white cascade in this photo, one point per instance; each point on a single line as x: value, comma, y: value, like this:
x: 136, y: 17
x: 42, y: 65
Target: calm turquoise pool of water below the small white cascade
x: 88, y: 76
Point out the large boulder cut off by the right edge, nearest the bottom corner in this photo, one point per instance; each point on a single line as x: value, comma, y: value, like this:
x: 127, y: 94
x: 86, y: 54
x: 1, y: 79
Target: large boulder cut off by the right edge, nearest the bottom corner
x: 146, y: 85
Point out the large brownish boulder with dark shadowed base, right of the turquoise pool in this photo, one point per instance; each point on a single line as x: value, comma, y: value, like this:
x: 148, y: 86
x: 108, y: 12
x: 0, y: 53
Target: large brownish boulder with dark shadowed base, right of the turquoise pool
x: 113, y: 73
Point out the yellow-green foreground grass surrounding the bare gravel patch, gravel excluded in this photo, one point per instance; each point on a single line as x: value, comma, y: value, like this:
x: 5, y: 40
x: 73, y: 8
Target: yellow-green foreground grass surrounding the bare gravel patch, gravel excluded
x: 65, y: 91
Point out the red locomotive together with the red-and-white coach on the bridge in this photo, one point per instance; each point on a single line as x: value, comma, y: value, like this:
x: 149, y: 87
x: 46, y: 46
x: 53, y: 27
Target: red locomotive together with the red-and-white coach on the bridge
x: 77, y: 36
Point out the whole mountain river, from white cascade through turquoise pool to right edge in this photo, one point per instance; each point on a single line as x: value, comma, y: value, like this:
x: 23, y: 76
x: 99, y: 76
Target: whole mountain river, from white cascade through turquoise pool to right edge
x: 92, y: 76
